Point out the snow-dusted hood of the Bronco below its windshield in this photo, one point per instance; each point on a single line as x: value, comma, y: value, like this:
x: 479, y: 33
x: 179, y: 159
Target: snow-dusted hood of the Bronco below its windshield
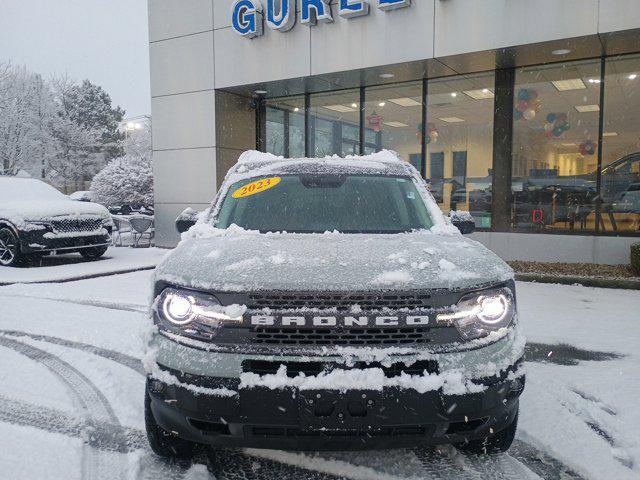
x: 235, y: 260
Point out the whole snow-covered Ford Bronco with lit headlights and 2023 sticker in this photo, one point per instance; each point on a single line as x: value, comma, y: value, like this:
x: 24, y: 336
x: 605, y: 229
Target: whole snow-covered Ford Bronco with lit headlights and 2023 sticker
x: 327, y: 304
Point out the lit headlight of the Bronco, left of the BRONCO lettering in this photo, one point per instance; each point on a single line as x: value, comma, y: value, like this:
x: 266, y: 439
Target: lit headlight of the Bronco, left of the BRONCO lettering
x: 196, y: 314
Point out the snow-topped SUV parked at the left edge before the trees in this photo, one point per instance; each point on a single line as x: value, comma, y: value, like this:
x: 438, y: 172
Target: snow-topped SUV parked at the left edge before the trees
x: 36, y: 219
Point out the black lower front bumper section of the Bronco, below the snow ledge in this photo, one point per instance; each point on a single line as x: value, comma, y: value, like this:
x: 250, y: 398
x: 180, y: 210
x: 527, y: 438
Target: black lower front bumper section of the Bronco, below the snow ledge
x: 284, y: 419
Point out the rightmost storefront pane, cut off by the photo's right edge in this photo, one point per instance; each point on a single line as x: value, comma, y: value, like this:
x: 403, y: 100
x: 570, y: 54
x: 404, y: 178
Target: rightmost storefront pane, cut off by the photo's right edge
x: 621, y: 146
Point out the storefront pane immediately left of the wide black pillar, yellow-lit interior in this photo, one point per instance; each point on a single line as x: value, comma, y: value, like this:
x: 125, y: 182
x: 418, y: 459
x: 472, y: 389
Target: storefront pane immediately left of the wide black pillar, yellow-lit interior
x: 459, y: 136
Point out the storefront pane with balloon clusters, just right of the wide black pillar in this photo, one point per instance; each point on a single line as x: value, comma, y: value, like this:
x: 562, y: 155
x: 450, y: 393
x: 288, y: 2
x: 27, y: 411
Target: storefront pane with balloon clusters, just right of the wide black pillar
x: 555, y: 134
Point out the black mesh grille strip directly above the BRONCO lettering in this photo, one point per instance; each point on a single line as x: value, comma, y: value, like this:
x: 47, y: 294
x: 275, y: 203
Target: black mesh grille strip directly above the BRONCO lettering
x: 339, y: 301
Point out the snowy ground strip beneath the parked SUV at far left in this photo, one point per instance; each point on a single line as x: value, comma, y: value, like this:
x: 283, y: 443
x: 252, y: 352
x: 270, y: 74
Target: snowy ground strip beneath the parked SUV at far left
x: 73, y: 266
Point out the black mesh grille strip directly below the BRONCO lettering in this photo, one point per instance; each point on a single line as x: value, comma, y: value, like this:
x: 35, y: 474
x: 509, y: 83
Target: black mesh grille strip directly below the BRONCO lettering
x: 328, y: 336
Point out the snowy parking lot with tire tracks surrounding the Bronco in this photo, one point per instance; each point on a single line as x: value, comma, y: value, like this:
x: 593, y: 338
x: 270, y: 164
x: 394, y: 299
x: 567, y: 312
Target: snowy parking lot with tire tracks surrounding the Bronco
x: 71, y: 393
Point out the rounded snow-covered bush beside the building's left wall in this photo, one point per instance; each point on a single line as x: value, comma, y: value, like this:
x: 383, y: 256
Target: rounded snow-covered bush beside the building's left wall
x: 126, y: 180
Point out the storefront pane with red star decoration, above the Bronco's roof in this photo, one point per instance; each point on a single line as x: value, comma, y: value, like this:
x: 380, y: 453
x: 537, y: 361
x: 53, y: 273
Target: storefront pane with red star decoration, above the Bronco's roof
x: 393, y: 120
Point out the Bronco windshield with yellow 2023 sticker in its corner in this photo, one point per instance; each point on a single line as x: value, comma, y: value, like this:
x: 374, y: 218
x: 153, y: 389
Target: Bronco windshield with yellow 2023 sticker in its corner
x: 321, y: 203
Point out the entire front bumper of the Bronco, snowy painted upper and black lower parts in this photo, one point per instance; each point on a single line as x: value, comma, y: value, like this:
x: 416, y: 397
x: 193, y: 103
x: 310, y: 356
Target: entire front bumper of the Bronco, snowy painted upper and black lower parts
x: 291, y: 419
